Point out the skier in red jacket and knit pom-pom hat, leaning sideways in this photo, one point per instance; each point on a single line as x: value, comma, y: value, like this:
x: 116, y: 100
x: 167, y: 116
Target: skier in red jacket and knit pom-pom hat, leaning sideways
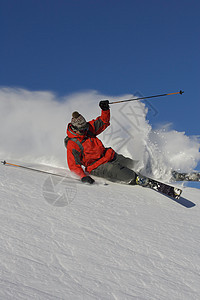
x: 85, y: 149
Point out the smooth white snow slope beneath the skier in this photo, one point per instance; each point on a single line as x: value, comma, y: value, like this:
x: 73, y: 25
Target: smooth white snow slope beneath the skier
x: 110, y: 242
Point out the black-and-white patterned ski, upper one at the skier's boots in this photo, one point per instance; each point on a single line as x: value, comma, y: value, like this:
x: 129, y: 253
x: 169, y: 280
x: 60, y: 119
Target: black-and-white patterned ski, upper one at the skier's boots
x: 158, y: 186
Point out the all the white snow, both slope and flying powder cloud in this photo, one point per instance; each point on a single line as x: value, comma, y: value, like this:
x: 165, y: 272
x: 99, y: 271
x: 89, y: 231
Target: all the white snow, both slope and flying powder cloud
x: 61, y: 239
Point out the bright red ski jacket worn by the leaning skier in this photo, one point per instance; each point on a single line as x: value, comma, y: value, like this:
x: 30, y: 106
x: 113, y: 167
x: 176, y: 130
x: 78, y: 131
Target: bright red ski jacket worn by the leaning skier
x: 88, y: 150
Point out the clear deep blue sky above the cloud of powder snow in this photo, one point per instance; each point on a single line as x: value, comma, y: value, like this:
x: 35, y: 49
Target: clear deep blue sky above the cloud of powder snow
x: 113, y: 46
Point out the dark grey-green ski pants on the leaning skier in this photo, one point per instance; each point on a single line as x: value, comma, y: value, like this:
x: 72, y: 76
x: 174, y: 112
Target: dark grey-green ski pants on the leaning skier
x: 119, y: 169
